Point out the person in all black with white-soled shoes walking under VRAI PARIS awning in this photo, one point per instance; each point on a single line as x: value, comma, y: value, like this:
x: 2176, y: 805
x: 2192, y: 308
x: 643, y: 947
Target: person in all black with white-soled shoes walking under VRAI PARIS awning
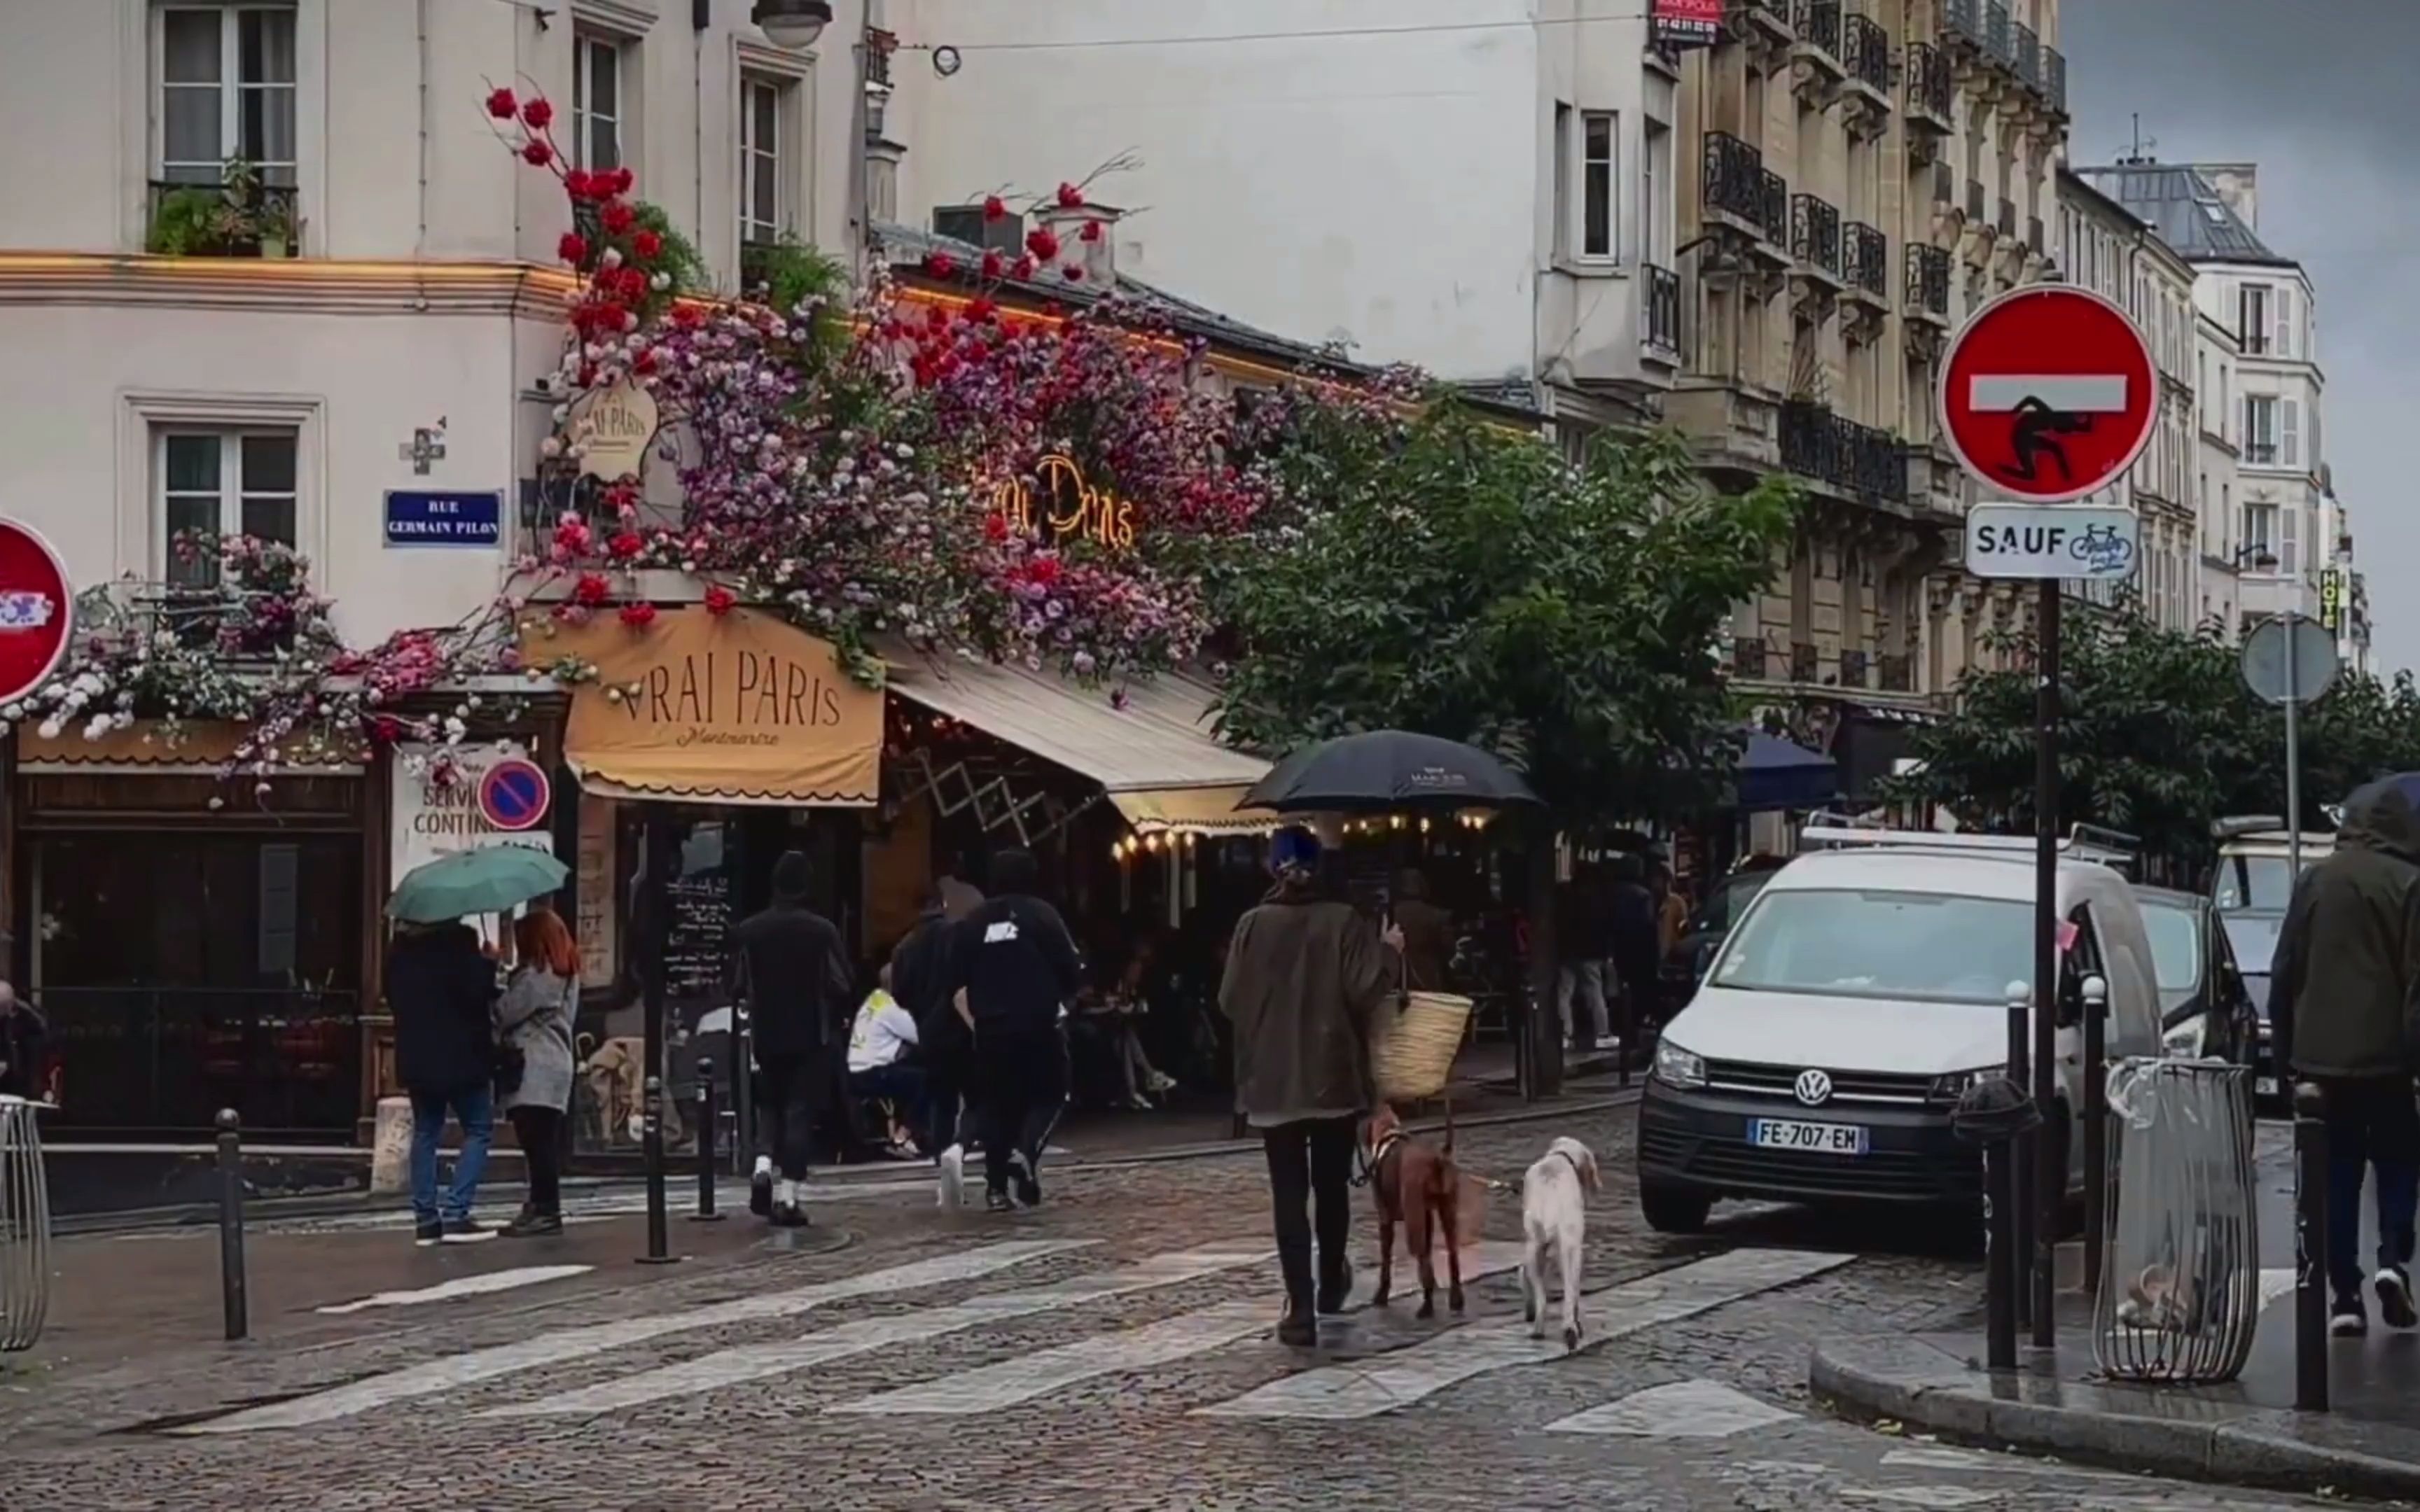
x: 795, y: 974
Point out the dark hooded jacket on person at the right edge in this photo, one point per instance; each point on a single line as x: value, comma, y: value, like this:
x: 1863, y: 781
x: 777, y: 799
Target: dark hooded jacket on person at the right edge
x: 2349, y: 959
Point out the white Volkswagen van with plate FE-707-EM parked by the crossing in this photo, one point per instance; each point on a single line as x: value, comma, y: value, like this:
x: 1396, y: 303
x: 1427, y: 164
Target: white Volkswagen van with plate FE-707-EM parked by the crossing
x: 1855, y: 1000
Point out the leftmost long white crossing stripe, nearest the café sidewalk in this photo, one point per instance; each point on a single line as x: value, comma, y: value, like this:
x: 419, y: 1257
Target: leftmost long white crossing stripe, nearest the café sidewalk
x: 597, y: 1339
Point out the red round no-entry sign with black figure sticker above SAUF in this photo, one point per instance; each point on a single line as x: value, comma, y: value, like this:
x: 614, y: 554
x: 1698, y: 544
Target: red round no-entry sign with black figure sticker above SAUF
x: 2049, y: 393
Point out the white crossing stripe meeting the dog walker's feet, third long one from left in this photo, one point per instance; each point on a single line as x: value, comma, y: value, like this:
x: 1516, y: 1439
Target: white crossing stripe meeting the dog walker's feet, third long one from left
x: 1119, y: 1354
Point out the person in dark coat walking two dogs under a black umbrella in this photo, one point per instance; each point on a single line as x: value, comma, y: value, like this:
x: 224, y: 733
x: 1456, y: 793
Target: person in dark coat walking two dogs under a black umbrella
x: 1303, y: 976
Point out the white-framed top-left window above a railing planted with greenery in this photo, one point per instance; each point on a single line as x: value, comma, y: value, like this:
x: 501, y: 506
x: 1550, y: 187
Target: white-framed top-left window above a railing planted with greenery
x: 226, y: 91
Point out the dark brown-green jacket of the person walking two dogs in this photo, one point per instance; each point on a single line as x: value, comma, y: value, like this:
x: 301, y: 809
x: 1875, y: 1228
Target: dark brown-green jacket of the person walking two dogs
x: 1303, y: 976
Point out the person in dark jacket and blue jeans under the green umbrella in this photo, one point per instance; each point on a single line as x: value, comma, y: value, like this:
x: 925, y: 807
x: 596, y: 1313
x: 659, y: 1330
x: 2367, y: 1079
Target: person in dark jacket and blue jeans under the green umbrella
x: 442, y: 988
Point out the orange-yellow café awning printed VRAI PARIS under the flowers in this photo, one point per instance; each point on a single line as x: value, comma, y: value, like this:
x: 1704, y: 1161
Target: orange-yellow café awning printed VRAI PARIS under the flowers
x: 737, y: 708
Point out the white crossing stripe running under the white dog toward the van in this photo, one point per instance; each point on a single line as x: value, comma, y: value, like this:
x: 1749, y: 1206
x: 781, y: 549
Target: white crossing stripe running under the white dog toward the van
x: 1366, y: 1390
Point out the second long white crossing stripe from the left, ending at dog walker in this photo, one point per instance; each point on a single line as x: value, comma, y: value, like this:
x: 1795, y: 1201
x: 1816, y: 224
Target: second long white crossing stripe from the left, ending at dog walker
x: 754, y: 1363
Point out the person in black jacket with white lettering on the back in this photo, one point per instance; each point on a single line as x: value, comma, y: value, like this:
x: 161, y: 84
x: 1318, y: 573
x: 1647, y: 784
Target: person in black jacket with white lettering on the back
x: 1018, y: 966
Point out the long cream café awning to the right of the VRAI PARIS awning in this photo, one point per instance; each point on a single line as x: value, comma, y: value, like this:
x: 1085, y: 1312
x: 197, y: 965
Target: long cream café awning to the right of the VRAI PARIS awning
x: 1151, y: 751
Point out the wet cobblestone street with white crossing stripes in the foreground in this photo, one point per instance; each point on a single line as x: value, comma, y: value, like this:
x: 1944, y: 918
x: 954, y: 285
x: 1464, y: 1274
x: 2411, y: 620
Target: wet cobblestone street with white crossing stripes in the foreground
x: 1110, y: 1351
